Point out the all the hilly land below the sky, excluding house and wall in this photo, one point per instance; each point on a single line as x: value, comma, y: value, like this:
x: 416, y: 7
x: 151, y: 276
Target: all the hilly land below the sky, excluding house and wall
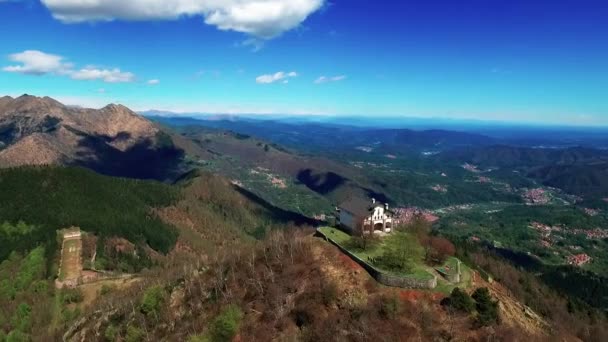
x: 227, y: 237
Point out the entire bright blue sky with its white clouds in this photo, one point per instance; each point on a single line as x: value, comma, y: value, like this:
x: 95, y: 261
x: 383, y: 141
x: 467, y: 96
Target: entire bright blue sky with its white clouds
x: 529, y: 61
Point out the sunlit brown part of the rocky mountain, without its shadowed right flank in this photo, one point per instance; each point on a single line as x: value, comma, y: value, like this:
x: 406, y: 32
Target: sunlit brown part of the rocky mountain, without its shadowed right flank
x: 41, y: 130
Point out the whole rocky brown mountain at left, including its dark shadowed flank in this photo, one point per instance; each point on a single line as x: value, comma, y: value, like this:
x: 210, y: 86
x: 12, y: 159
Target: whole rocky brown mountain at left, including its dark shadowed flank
x: 112, y: 140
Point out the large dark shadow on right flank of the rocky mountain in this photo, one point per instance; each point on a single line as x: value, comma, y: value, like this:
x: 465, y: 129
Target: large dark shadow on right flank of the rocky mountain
x: 143, y: 160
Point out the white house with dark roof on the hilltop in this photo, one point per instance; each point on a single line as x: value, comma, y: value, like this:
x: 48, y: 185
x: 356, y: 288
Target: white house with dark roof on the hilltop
x: 358, y: 216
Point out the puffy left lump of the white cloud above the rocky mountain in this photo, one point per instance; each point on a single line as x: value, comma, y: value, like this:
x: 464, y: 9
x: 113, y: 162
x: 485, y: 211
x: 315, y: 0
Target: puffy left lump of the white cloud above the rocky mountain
x: 34, y: 62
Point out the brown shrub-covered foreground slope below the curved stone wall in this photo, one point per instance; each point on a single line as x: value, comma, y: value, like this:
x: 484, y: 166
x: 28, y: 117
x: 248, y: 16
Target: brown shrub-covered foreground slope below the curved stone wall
x: 291, y: 286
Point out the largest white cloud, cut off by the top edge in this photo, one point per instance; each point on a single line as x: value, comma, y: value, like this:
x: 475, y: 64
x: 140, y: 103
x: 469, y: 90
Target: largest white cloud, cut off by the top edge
x: 265, y: 19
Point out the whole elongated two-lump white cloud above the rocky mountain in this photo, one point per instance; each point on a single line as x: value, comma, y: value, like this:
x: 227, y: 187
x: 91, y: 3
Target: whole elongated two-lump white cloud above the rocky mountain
x: 34, y: 62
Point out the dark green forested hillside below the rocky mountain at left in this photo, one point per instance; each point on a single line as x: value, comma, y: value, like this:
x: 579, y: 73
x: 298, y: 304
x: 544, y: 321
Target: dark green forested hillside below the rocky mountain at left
x: 51, y: 198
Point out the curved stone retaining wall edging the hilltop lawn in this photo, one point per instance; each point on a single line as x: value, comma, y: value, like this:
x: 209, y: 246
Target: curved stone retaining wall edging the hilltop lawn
x: 386, y: 278
